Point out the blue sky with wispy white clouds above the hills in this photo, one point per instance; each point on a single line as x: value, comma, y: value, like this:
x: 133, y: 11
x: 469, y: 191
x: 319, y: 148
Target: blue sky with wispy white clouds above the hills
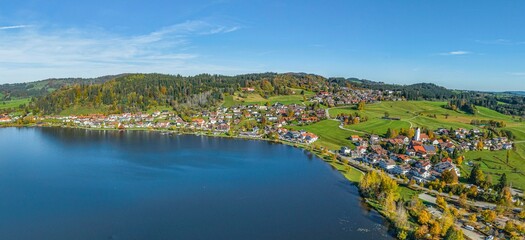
x: 477, y: 45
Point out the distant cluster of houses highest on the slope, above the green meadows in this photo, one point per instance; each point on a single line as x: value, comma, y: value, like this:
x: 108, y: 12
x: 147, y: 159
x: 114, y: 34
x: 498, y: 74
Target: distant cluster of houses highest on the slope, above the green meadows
x: 353, y: 96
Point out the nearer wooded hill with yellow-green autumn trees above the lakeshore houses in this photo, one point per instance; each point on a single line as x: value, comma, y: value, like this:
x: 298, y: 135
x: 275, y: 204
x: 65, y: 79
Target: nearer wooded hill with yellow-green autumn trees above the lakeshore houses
x: 139, y: 92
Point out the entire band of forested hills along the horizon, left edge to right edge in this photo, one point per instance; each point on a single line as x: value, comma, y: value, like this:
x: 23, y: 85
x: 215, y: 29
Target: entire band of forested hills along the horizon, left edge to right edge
x: 141, y: 92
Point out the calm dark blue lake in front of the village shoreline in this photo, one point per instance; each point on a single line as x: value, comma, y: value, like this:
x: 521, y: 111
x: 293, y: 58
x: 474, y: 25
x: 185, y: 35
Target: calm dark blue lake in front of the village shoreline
x: 78, y: 184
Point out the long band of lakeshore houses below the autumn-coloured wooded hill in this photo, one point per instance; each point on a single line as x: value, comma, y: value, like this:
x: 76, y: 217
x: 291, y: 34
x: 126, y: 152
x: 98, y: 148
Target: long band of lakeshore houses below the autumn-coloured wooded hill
x: 222, y: 120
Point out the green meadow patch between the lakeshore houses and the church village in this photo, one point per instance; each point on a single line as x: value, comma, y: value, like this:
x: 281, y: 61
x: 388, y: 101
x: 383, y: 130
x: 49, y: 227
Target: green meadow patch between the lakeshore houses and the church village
x: 330, y: 135
